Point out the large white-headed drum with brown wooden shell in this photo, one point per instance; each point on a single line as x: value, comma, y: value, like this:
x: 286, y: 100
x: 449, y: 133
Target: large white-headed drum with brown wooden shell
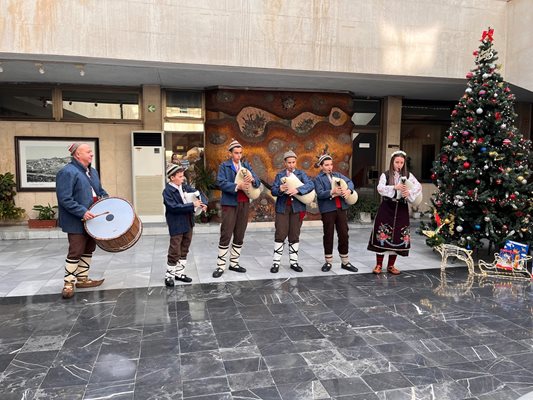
x: 116, y: 227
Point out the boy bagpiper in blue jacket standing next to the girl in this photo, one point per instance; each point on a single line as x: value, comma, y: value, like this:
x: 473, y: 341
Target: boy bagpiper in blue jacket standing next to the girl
x: 333, y: 208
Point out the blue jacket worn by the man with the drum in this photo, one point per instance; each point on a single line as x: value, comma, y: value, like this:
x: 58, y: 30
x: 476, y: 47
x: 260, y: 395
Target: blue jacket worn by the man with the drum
x: 74, y: 195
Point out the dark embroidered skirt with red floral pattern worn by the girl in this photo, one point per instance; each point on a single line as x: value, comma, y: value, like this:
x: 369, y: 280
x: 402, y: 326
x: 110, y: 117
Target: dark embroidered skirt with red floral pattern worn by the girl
x: 391, y: 228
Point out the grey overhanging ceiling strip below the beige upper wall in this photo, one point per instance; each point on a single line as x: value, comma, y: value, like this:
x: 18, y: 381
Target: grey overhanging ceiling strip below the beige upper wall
x: 136, y: 73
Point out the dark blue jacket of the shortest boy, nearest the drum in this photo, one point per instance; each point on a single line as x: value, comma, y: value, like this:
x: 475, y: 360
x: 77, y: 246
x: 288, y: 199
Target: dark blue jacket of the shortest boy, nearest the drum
x: 179, y: 215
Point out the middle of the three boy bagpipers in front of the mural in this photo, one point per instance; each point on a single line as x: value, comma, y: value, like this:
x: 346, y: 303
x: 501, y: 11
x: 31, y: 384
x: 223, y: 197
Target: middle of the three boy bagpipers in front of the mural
x: 289, y: 212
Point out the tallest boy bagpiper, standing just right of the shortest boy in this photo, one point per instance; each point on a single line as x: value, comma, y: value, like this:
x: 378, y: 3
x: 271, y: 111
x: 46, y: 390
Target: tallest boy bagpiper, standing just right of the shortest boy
x: 235, y: 208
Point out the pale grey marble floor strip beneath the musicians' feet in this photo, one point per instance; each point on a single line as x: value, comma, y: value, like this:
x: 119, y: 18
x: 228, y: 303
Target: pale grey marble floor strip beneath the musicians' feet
x: 29, y: 267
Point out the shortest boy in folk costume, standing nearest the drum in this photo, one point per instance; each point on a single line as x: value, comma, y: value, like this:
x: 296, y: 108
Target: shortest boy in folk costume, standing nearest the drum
x: 179, y: 214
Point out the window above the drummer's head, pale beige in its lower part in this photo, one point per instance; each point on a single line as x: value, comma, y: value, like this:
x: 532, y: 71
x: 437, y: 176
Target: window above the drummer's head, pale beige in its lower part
x: 79, y: 104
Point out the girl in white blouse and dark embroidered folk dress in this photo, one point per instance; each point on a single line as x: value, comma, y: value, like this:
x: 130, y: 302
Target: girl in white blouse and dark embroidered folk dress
x: 391, y: 227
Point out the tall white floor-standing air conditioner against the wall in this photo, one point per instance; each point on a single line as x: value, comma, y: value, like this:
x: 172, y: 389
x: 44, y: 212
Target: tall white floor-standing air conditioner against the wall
x: 148, y: 168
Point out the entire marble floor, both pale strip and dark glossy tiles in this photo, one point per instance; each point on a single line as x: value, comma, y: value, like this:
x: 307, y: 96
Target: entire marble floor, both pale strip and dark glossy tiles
x: 419, y: 335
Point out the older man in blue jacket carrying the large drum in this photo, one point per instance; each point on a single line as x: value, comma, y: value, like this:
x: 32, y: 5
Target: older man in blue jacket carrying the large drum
x: 78, y: 187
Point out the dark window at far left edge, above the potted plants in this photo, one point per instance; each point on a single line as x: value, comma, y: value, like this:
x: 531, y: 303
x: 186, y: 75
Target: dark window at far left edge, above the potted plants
x: 18, y: 102
